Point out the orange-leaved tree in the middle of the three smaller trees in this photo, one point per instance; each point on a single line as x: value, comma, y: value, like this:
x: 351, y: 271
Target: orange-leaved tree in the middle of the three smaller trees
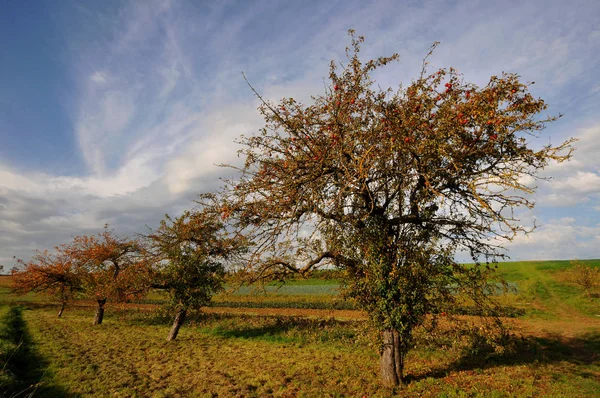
x: 115, y: 268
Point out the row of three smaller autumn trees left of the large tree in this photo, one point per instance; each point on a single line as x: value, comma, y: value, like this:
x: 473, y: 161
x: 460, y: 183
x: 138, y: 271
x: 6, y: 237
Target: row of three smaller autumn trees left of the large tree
x: 184, y: 257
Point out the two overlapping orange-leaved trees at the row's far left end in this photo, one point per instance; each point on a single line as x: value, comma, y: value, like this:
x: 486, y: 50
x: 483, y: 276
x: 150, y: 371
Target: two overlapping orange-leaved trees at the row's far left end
x: 101, y: 267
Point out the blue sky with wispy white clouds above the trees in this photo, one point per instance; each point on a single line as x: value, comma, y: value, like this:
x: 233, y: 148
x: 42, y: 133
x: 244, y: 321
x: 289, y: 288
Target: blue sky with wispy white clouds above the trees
x: 117, y: 111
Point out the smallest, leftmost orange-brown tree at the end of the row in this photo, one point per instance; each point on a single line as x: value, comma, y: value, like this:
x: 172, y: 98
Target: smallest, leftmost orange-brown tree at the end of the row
x: 53, y: 274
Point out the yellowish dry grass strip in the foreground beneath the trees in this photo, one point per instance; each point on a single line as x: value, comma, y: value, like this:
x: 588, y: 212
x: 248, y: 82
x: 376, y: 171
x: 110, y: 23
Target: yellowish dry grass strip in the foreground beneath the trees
x: 257, y: 356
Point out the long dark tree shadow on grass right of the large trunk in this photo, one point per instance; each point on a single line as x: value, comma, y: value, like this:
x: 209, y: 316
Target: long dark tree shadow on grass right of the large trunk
x: 582, y: 351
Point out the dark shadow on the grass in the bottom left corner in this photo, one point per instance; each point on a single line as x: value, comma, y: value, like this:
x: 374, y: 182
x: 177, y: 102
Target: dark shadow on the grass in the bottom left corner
x: 25, y: 365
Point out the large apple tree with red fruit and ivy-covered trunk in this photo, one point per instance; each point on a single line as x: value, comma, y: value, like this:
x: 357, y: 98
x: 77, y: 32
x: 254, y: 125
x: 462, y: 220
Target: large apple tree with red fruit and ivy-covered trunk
x: 392, y: 184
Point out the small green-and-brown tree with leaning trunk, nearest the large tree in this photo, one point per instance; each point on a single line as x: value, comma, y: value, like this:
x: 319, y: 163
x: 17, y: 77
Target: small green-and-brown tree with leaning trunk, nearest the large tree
x: 190, y: 252
